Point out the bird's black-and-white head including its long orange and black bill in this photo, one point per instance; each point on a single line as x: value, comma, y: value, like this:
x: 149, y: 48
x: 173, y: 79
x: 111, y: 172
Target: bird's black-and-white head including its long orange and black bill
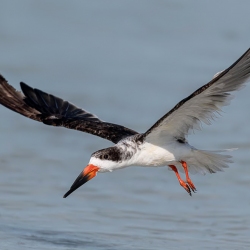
x: 101, y: 161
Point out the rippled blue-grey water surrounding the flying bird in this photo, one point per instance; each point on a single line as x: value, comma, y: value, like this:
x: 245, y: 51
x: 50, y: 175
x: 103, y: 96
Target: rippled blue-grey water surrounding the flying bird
x: 129, y: 62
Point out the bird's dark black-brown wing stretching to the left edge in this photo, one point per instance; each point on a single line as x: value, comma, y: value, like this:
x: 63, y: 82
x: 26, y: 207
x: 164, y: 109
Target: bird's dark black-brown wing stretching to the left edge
x: 51, y: 110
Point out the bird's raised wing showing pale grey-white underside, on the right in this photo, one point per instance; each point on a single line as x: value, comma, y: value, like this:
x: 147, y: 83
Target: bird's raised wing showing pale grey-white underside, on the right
x: 203, y: 104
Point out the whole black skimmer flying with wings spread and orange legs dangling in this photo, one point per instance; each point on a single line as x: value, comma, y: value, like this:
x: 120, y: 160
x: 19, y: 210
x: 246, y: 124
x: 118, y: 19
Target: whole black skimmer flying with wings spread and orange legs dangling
x: 164, y: 144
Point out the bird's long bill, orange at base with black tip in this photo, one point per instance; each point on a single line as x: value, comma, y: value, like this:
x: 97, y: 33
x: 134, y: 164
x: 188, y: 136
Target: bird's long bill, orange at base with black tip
x: 87, y: 174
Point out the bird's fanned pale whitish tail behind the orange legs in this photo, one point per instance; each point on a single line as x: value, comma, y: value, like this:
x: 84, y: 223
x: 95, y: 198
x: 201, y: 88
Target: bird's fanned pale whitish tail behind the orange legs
x: 204, y: 161
